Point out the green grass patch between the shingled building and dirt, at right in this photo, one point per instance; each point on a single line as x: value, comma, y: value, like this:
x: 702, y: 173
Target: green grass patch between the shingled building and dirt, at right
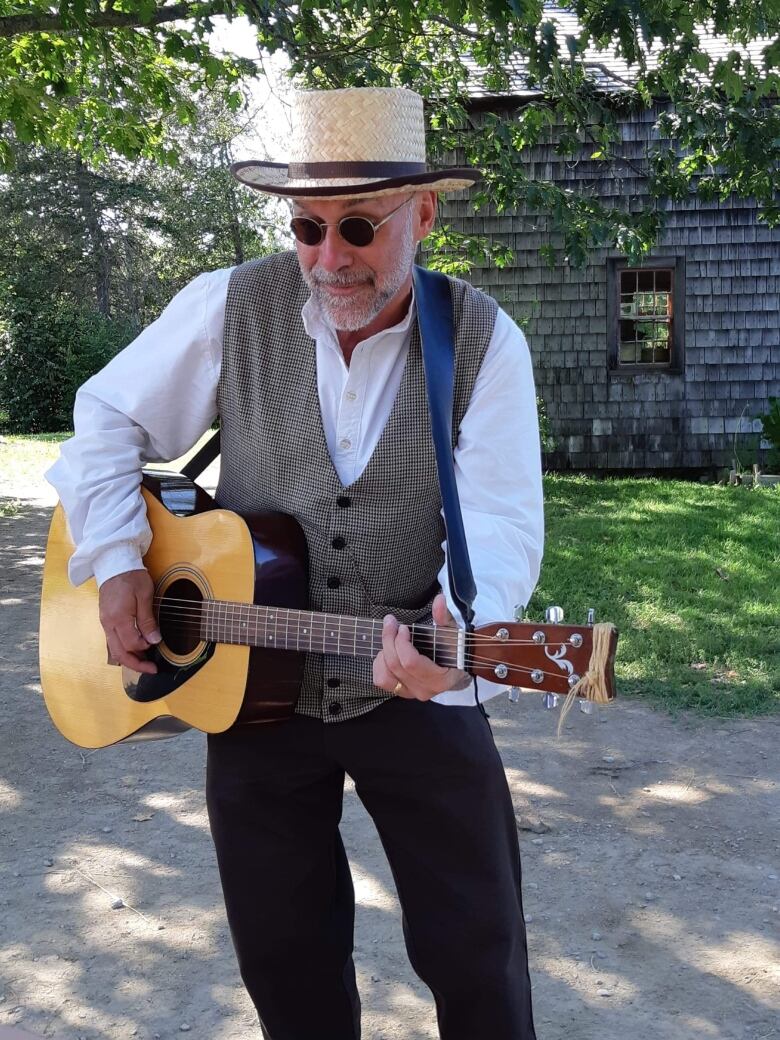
x: 691, y: 576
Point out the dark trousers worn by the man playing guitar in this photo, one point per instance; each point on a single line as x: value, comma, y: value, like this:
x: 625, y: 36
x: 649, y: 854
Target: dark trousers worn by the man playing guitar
x: 432, y: 781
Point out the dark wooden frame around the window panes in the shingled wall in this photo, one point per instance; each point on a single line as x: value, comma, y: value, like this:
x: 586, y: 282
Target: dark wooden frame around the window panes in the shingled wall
x: 614, y: 268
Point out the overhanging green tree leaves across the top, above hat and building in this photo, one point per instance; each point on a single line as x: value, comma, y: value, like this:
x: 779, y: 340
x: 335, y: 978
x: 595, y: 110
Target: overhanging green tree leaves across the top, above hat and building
x: 105, y: 77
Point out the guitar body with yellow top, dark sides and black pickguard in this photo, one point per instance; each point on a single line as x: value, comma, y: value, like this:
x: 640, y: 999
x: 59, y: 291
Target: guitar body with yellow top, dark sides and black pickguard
x: 198, y: 553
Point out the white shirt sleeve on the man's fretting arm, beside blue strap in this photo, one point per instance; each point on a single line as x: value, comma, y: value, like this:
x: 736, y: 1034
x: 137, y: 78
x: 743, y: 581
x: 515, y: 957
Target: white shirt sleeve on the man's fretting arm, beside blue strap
x: 499, y: 472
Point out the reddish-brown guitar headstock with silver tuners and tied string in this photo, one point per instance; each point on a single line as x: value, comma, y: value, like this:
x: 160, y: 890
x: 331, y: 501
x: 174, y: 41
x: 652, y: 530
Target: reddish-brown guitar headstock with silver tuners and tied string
x: 549, y: 657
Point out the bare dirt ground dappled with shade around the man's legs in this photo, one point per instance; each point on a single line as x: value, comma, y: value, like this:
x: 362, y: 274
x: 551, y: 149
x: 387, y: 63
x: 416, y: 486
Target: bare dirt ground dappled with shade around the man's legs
x: 651, y: 854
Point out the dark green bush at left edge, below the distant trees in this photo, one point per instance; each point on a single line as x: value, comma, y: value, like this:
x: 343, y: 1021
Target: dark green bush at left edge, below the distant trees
x: 46, y: 354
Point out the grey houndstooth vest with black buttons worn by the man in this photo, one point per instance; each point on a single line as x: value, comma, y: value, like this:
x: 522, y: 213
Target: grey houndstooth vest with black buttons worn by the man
x: 375, y: 547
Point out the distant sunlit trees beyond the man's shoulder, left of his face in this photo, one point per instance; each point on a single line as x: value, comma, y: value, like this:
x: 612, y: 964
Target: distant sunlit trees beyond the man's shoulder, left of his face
x: 127, y: 237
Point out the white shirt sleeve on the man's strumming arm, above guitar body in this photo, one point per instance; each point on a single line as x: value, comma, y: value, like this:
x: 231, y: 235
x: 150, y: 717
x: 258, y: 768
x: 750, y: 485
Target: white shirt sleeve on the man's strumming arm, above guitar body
x: 150, y: 403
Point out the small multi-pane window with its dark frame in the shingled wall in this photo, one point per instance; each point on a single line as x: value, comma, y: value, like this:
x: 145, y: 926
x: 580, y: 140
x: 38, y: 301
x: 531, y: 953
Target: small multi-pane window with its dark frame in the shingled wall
x: 645, y: 318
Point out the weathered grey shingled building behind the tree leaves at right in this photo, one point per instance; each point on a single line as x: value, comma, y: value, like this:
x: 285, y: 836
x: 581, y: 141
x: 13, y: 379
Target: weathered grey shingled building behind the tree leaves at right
x: 657, y: 368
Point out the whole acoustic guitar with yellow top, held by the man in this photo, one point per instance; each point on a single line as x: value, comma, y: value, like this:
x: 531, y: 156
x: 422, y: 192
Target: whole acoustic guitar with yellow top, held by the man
x: 231, y: 597
